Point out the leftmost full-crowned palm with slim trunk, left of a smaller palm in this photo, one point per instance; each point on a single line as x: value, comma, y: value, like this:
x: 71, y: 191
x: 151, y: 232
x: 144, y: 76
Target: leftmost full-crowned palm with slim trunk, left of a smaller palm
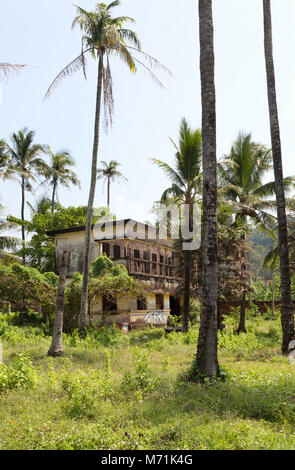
x: 25, y: 163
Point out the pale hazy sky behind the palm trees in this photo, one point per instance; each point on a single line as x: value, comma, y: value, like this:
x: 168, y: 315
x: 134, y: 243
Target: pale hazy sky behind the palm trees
x: 39, y: 33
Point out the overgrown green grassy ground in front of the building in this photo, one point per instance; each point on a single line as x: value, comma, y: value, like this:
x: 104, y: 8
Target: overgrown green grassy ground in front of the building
x: 115, y: 391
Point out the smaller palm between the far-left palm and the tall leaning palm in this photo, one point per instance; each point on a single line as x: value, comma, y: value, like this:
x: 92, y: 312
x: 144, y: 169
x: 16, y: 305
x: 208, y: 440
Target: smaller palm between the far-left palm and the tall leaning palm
x: 58, y: 172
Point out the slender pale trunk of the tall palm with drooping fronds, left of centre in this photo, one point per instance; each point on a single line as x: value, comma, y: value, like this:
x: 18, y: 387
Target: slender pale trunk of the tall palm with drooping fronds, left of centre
x: 84, y: 301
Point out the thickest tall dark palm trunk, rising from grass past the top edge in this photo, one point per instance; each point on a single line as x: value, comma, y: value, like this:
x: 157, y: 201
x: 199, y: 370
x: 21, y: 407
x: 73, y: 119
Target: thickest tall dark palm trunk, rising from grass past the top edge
x: 206, y: 358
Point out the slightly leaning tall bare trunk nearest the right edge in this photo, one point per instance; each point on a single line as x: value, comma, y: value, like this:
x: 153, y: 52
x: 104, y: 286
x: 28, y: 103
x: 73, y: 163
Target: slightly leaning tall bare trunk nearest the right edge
x: 287, y: 318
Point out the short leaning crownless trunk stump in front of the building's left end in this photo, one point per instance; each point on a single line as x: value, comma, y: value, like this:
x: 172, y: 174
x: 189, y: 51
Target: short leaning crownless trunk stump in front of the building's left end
x: 56, y: 348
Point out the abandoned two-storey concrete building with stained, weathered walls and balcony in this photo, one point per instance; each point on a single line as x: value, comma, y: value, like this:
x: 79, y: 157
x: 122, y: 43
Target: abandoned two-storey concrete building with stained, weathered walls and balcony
x: 147, y: 257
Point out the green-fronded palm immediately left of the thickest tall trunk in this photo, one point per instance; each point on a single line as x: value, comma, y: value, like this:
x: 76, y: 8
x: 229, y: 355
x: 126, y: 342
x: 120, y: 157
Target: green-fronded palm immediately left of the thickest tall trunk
x: 186, y: 189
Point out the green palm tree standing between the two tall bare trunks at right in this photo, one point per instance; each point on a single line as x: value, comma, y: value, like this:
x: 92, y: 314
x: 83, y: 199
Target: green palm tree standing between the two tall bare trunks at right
x: 241, y: 179
